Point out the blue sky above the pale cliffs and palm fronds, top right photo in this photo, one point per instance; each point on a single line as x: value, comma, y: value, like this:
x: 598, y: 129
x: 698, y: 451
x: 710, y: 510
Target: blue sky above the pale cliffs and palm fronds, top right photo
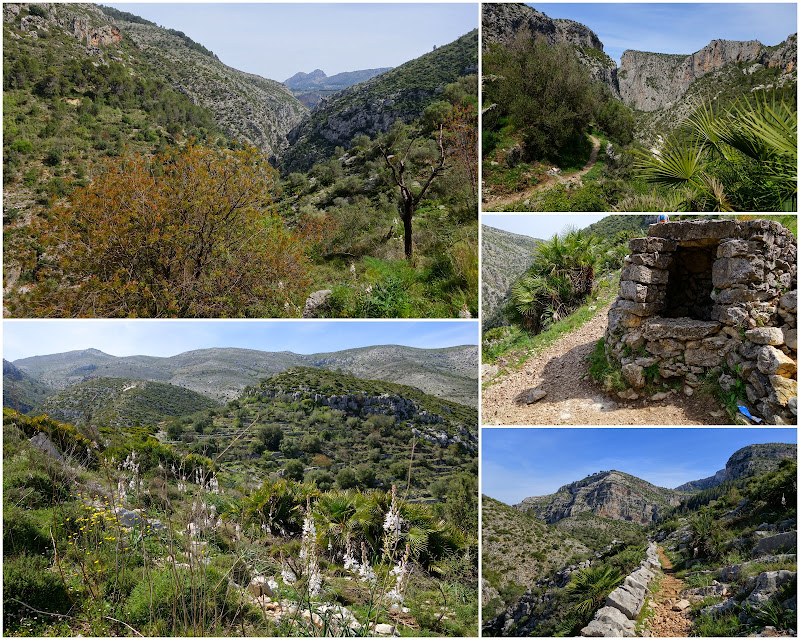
x: 677, y: 28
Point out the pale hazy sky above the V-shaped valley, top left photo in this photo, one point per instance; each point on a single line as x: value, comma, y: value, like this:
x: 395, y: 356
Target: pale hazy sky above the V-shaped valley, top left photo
x: 278, y: 40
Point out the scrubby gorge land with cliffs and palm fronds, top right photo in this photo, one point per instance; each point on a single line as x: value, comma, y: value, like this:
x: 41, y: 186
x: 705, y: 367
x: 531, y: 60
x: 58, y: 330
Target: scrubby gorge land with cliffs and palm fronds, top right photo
x: 566, y: 129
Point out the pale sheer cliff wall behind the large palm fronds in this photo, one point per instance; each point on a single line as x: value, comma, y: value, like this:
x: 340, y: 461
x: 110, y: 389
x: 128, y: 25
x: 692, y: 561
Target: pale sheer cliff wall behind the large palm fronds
x: 652, y: 81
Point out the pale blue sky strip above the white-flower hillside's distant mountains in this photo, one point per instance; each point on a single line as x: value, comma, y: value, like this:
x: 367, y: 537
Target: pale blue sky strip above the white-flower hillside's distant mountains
x: 24, y: 338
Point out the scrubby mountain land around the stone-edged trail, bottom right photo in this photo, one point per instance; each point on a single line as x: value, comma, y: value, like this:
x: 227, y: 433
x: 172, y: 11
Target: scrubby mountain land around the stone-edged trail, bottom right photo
x: 717, y: 562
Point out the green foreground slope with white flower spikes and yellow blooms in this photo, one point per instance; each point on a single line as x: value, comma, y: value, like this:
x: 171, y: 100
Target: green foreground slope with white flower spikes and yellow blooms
x: 180, y: 563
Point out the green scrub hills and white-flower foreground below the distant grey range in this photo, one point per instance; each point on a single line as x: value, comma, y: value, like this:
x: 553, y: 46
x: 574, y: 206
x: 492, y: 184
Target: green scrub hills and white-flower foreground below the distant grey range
x: 315, y: 501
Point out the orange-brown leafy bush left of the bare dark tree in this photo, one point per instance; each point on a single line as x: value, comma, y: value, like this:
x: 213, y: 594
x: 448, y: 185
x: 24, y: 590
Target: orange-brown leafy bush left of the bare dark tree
x: 190, y: 233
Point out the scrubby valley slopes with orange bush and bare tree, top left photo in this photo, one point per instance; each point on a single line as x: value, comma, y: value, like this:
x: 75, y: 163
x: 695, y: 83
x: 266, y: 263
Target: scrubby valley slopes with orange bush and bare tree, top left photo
x: 373, y: 212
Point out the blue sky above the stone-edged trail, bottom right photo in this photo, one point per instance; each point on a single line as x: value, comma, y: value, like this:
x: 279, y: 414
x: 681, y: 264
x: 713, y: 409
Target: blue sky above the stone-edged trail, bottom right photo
x: 517, y: 463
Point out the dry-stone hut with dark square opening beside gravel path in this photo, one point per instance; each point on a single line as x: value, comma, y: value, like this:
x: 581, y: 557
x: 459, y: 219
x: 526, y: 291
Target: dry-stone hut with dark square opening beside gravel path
x: 712, y: 295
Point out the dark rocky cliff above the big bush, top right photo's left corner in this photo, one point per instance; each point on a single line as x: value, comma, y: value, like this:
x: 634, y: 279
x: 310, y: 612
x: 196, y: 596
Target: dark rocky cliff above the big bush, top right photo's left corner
x: 504, y: 22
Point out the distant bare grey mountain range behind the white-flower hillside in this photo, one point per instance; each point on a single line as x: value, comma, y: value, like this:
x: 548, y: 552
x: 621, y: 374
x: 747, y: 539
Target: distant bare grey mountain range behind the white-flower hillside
x: 223, y: 373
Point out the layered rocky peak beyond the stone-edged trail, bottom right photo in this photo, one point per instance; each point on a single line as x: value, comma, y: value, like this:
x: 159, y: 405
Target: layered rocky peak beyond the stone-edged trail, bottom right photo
x: 610, y: 494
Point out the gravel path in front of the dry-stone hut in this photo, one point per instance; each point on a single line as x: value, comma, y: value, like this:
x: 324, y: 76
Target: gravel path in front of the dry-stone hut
x: 570, y: 399
